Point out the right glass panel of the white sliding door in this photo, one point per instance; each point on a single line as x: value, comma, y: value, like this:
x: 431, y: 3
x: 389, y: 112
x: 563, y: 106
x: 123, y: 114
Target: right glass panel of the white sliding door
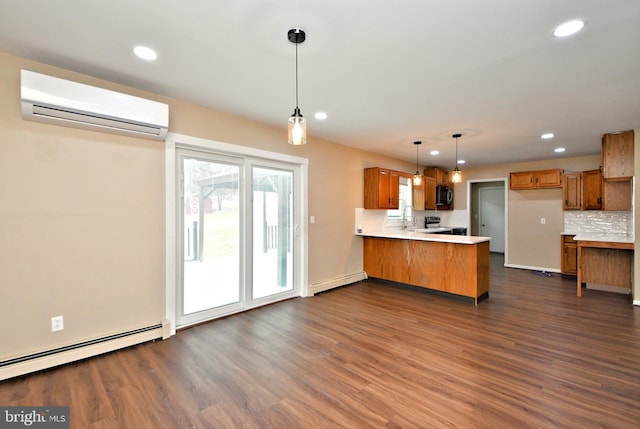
x: 272, y: 232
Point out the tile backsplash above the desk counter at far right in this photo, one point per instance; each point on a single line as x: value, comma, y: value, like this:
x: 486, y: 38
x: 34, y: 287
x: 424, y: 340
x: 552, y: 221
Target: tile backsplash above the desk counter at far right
x: 598, y: 221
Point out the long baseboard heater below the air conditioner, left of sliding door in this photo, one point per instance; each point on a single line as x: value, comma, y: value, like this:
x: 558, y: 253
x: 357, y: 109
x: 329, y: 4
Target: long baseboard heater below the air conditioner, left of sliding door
x: 58, y: 356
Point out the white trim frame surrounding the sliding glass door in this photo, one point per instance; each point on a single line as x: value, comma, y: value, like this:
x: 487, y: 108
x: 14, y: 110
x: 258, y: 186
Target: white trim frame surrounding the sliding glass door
x: 301, y: 238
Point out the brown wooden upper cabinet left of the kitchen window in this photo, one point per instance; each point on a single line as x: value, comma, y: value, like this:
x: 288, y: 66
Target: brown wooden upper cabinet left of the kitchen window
x: 381, y: 188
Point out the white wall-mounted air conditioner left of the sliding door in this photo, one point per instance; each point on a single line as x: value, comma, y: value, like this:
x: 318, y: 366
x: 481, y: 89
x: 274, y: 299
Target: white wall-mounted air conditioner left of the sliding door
x: 63, y: 102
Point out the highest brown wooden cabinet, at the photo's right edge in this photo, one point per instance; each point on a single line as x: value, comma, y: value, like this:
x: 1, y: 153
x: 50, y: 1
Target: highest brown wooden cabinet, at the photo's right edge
x: 617, y: 155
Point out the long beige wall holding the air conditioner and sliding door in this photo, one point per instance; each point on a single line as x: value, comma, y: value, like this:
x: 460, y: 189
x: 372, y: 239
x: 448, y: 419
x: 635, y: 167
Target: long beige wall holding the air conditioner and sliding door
x: 82, y: 224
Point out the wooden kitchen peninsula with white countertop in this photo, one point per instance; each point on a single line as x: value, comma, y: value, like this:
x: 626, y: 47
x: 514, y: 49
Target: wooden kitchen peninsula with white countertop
x: 454, y: 264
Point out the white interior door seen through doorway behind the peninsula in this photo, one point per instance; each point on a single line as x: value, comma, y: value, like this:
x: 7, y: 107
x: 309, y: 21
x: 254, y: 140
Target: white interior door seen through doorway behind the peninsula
x: 491, y: 221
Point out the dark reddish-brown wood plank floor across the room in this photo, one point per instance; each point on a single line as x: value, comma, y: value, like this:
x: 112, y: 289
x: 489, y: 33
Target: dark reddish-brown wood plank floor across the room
x: 373, y: 355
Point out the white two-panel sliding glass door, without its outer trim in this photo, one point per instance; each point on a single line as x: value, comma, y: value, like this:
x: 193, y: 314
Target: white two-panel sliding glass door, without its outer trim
x: 237, y: 227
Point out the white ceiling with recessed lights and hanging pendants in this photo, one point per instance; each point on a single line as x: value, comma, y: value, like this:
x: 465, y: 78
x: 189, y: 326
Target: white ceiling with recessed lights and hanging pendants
x: 386, y: 72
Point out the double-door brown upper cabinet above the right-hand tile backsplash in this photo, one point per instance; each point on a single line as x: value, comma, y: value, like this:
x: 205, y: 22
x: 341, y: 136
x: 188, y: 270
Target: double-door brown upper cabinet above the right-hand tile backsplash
x: 582, y: 190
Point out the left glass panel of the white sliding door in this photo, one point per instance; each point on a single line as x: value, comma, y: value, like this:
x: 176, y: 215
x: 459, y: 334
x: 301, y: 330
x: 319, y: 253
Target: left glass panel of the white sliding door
x: 211, y: 235
